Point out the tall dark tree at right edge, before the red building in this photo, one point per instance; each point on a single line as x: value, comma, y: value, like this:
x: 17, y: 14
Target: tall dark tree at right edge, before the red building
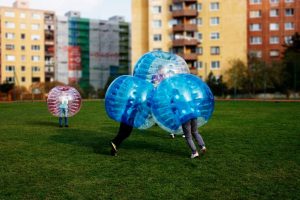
x: 291, y: 58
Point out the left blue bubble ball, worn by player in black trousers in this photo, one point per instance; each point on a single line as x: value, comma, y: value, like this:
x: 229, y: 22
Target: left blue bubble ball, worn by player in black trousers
x: 127, y: 100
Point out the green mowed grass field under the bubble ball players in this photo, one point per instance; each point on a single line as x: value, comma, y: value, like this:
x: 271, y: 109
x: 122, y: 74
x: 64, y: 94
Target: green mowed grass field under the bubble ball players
x: 253, y: 153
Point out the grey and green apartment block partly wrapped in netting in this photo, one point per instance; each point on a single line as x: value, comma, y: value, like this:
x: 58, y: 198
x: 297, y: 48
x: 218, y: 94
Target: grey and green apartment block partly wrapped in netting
x: 89, y: 51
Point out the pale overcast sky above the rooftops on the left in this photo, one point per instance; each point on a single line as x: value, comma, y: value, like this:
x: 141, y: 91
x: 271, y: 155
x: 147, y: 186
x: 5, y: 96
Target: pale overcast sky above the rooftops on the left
x: 96, y: 9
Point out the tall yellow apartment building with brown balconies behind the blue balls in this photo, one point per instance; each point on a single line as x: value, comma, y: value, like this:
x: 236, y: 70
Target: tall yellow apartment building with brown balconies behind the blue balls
x: 207, y: 34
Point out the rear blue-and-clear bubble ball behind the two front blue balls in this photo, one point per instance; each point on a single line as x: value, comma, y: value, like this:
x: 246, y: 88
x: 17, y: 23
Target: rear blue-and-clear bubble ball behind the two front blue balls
x: 156, y: 66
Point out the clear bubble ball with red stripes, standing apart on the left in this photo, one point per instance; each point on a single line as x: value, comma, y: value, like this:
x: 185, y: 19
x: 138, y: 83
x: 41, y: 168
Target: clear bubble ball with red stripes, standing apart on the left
x: 64, y: 94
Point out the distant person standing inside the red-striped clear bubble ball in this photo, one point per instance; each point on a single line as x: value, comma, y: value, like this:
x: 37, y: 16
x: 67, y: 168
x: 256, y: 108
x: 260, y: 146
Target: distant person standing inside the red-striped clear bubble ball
x: 63, y: 109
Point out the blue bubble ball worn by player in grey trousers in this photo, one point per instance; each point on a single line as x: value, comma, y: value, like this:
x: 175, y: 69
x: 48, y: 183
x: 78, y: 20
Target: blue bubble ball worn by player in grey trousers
x: 179, y: 99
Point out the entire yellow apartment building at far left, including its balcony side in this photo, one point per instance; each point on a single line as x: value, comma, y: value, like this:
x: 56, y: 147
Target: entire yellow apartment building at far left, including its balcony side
x: 26, y: 44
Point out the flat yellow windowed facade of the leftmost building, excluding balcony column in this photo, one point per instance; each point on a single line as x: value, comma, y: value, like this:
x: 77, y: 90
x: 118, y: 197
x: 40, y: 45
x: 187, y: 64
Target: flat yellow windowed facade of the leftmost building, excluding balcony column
x: 27, y: 27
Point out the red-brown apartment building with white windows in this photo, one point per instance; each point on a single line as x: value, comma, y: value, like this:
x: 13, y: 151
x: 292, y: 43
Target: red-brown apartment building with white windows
x: 271, y: 24
